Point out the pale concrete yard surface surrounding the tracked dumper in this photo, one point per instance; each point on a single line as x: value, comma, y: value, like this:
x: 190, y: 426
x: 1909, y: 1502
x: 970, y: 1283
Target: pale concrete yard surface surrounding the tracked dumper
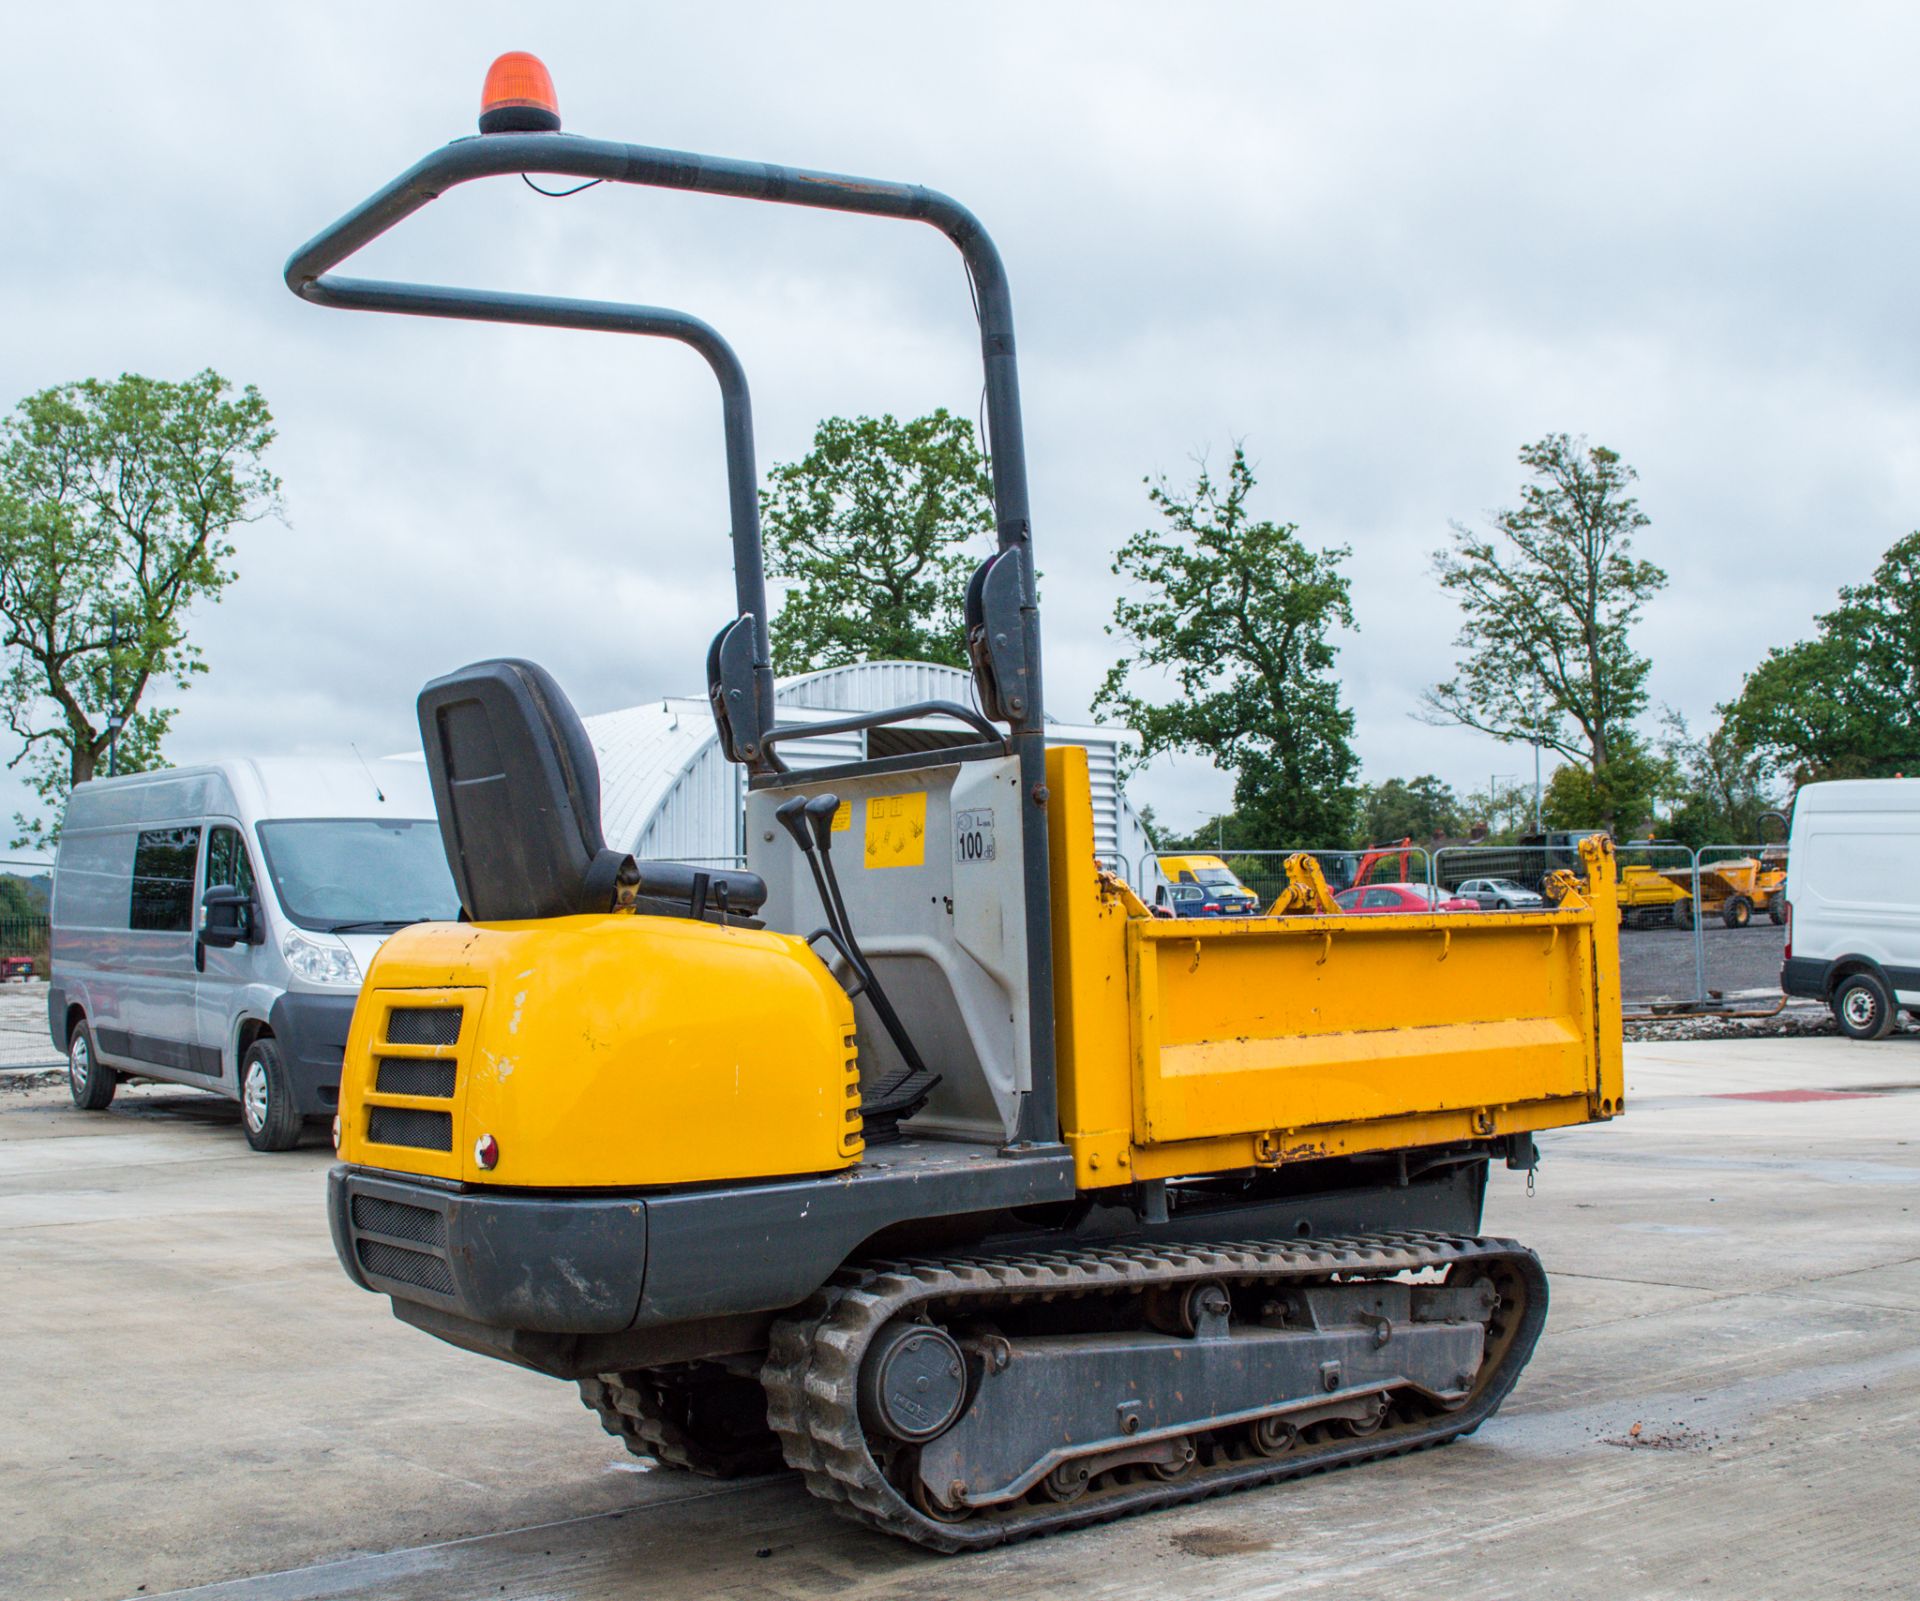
x: 1723, y: 1406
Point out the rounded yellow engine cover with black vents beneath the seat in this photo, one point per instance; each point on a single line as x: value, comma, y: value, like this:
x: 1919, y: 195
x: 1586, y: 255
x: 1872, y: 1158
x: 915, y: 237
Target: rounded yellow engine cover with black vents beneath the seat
x: 602, y: 1051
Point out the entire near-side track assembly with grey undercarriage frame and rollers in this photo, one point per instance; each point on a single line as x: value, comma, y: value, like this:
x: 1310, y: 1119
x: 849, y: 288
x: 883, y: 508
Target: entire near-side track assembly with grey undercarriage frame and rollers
x: 1107, y: 1381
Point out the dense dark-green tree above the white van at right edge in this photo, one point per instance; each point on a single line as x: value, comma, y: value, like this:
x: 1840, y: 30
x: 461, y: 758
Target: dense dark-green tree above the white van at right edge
x: 1842, y: 704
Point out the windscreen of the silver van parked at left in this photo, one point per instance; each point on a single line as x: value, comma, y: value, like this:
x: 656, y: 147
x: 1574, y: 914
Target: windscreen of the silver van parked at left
x: 345, y: 874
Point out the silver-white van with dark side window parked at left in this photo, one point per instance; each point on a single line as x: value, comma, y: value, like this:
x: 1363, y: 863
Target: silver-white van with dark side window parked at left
x: 210, y: 926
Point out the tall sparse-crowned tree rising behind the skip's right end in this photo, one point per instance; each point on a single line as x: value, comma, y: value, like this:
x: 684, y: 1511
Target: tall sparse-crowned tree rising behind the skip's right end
x: 1548, y: 604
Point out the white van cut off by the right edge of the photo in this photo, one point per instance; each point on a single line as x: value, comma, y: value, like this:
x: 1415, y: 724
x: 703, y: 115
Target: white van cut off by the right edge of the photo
x: 1854, y: 901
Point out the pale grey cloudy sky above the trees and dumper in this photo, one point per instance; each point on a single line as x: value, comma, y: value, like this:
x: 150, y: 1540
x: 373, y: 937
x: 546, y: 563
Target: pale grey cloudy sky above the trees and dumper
x: 1383, y: 245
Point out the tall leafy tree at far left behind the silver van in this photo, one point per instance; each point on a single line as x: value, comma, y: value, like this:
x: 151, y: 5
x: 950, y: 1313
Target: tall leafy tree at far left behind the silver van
x: 118, y: 504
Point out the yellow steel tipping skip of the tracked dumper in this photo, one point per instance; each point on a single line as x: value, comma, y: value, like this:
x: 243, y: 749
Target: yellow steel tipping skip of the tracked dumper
x: 1203, y: 1047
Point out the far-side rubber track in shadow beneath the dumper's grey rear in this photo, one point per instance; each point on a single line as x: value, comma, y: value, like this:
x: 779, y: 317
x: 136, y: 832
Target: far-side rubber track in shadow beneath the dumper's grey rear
x: 698, y: 1418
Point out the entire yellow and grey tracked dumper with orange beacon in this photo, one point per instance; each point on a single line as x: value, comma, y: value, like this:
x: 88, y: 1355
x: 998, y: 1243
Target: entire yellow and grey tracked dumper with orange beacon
x: 915, y: 1153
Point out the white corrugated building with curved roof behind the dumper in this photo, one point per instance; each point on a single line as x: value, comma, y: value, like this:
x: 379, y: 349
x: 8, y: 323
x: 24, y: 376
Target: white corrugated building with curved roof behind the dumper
x: 667, y: 794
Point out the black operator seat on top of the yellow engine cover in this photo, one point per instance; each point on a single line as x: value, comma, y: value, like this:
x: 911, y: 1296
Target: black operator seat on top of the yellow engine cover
x: 517, y: 792
